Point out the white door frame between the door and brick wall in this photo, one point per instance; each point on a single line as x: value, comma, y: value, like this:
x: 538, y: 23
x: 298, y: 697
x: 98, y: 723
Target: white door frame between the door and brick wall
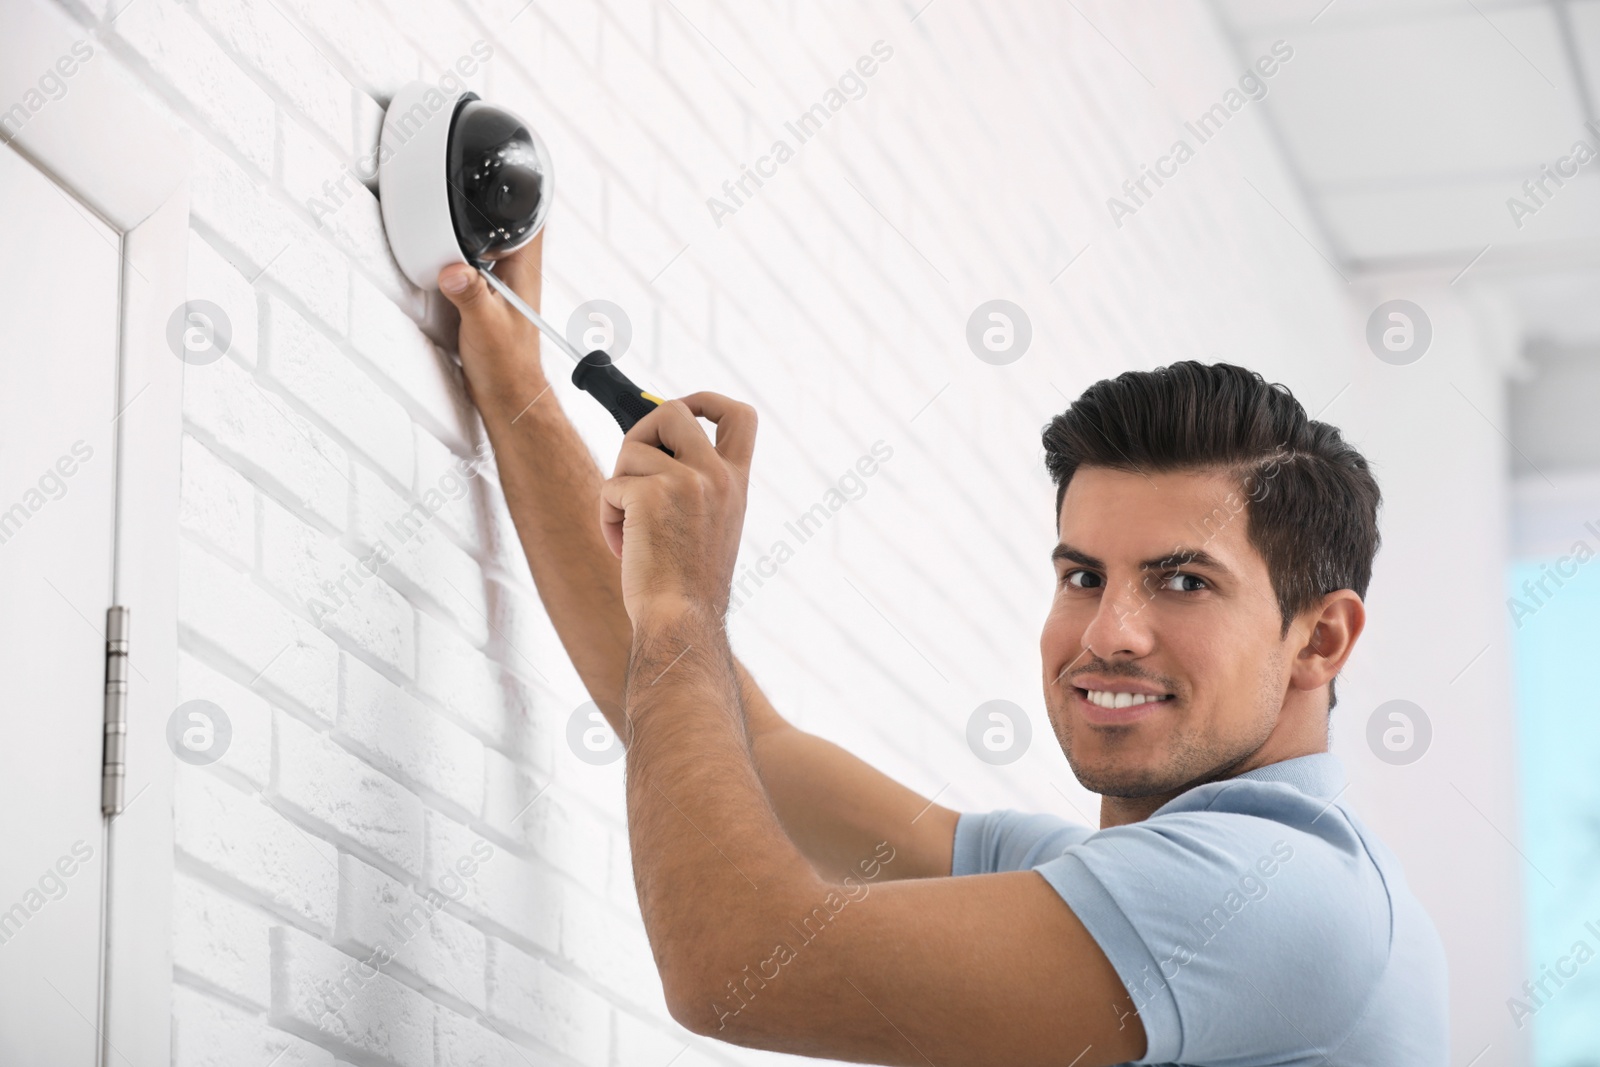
x: 122, y: 159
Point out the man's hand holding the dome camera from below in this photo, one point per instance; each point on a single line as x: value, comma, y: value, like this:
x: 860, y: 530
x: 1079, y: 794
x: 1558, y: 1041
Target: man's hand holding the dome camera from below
x: 500, y: 350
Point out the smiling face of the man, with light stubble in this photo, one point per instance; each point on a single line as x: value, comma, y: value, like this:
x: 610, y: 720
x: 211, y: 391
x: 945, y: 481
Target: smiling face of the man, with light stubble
x: 1202, y: 631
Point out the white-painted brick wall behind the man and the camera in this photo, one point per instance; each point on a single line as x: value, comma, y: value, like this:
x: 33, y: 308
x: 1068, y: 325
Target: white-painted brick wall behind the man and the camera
x: 399, y: 778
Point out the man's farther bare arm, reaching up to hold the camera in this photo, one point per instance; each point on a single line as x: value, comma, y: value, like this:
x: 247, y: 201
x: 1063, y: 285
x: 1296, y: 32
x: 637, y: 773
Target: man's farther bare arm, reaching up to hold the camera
x: 834, y: 807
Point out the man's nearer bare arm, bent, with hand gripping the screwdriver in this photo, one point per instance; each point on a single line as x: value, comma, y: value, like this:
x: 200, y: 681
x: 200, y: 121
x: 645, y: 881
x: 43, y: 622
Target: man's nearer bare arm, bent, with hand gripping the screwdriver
x: 953, y: 972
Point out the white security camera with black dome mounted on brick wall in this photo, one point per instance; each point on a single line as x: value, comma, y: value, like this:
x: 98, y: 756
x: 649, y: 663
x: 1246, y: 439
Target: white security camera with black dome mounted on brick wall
x: 458, y: 182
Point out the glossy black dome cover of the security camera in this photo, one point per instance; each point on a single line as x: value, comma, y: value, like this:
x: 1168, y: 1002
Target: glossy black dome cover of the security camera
x: 500, y: 182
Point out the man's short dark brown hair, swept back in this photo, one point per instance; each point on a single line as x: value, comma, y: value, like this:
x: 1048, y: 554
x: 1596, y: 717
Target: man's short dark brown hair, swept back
x: 1311, y: 503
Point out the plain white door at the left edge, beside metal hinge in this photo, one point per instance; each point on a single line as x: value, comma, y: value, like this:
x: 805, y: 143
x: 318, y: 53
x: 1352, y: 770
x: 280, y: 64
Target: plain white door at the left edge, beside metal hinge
x: 60, y: 271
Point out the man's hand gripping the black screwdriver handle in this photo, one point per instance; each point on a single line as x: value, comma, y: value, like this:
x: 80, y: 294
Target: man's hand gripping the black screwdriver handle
x: 676, y: 521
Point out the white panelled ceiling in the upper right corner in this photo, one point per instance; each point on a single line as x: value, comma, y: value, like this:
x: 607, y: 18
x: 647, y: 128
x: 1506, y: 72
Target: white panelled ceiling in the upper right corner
x: 1410, y: 124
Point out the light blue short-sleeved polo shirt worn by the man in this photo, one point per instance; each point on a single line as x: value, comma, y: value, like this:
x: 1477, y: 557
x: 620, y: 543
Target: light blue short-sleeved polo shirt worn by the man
x: 1254, y: 921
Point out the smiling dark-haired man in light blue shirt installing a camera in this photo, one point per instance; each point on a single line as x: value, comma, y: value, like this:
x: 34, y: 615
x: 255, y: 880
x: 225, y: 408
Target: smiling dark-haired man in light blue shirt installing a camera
x: 1215, y: 548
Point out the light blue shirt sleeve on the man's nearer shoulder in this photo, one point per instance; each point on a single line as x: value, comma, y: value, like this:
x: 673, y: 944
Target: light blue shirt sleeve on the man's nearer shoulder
x: 1242, y: 940
